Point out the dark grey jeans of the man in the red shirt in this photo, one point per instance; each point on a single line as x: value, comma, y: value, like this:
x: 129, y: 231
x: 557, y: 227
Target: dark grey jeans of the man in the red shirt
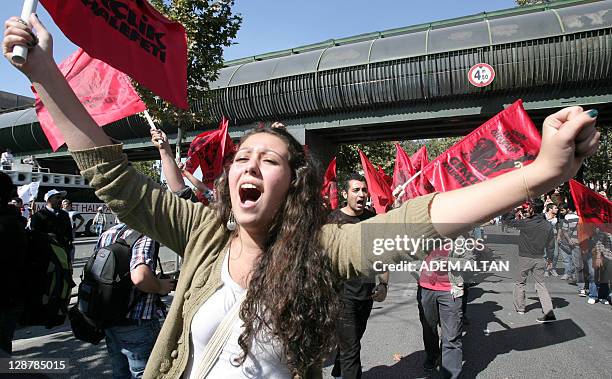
x: 440, y: 307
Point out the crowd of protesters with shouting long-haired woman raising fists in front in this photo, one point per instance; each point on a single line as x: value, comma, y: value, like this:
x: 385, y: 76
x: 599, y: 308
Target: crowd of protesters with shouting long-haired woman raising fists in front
x: 258, y: 294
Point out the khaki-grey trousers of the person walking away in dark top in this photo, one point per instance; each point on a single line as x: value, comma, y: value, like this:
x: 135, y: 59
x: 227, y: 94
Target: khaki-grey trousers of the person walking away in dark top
x: 535, y: 267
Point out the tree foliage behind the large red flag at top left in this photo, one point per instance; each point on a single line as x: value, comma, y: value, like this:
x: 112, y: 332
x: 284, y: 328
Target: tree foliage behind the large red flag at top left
x: 210, y: 26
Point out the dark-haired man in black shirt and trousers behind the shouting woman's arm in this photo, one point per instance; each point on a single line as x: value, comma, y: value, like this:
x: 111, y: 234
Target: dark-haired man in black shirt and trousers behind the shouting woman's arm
x: 358, y: 294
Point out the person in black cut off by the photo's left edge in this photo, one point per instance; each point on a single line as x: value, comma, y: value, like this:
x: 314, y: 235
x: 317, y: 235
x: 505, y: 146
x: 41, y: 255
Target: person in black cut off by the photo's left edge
x: 12, y: 259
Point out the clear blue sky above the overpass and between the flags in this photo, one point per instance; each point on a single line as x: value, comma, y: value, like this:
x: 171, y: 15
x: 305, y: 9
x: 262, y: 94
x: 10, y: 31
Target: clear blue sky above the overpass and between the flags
x: 272, y: 25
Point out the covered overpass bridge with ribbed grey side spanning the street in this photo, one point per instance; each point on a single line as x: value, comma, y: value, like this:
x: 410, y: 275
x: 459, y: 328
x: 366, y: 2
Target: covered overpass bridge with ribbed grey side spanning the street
x: 405, y: 83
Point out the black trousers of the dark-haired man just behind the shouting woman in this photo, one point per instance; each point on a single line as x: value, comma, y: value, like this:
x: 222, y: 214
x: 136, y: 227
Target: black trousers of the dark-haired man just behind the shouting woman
x: 351, y: 326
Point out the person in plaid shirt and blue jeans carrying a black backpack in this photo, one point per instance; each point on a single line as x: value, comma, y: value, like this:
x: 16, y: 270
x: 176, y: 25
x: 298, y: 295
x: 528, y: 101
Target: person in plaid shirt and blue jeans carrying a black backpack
x: 130, y: 341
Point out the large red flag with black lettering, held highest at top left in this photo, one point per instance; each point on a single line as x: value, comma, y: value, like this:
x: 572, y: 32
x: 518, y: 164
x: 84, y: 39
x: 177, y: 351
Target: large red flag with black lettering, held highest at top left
x: 131, y: 36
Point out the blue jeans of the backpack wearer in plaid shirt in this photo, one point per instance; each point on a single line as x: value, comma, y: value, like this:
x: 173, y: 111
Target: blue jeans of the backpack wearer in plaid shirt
x: 130, y: 346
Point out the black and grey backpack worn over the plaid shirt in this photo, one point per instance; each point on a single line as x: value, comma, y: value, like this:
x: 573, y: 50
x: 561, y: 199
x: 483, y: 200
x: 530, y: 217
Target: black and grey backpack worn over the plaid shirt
x: 105, y: 291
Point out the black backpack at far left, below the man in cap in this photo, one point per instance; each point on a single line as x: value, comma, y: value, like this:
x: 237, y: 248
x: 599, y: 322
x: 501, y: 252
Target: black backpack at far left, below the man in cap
x: 48, y: 289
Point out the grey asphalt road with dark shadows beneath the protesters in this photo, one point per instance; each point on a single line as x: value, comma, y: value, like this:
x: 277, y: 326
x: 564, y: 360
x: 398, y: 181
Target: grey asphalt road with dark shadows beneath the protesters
x: 498, y: 343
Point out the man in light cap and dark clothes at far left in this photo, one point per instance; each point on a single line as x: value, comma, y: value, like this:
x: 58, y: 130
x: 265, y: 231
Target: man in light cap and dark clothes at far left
x: 53, y: 220
